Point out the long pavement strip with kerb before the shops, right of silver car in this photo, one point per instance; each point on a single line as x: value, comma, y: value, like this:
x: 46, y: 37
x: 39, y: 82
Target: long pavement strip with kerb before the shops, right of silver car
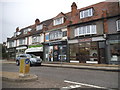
x: 103, y: 67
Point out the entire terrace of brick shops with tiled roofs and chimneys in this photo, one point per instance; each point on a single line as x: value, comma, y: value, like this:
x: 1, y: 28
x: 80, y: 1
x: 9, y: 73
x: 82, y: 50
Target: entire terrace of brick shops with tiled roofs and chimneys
x: 87, y: 35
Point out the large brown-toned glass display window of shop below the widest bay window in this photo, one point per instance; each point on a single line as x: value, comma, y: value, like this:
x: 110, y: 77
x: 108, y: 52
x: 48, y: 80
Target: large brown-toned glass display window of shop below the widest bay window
x: 84, y: 52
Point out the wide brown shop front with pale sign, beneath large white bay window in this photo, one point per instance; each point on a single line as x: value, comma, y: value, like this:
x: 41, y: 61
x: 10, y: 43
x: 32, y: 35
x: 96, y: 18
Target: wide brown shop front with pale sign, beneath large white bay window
x: 88, y: 50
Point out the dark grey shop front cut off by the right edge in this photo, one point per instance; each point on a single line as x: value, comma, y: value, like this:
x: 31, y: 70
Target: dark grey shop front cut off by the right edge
x: 113, y: 49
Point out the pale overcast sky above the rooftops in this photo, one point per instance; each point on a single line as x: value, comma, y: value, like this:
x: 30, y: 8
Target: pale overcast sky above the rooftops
x: 22, y: 13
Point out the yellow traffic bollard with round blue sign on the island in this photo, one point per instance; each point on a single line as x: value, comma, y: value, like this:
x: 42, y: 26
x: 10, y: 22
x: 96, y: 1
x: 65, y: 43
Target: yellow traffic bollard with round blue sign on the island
x: 24, y: 67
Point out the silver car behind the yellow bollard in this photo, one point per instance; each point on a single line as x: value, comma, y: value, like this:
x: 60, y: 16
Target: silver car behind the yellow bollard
x: 34, y: 60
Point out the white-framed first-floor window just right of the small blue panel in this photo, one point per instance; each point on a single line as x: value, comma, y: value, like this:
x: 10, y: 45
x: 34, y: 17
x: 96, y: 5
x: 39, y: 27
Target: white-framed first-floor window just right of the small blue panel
x: 55, y: 35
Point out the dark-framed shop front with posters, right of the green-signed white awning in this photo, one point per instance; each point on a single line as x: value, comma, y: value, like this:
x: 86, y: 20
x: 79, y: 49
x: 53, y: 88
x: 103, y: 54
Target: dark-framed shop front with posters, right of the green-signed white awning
x: 55, y: 51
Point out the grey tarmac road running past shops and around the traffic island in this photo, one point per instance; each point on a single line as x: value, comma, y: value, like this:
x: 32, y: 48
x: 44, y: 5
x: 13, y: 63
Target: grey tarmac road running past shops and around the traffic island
x: 63, y: 77
